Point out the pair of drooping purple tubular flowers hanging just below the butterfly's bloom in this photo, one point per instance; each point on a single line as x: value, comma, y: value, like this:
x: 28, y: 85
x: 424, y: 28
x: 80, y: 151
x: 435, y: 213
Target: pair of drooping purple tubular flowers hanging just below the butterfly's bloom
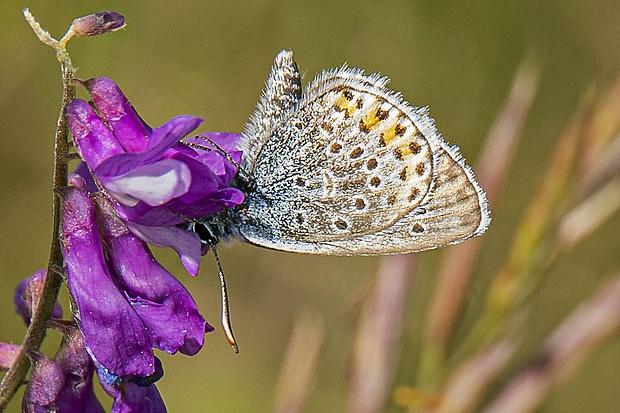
x: 127, y: 303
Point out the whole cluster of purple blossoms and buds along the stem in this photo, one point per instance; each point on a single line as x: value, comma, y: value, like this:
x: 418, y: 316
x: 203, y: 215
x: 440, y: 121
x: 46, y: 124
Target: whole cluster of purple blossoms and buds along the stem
x: 136, y: 185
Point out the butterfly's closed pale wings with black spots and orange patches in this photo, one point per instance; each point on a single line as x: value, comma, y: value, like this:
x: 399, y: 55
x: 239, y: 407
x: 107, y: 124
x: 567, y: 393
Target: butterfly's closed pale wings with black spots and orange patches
x: 349, y: 168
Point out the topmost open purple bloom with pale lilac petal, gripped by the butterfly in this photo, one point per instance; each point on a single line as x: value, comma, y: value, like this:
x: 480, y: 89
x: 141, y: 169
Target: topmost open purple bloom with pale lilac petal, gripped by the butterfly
x: 156, y: 181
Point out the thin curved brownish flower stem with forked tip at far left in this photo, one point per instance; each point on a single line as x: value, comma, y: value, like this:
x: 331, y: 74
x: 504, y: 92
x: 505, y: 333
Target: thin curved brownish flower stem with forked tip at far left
x: 53, y: 280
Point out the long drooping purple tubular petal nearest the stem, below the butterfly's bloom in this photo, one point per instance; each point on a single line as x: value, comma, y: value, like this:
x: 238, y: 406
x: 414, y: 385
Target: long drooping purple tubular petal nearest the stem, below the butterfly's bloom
x: 113, y: 332
